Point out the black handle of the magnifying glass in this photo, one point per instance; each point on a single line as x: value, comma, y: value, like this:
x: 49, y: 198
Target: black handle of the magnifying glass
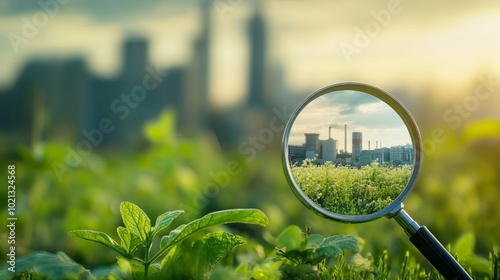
x: 431, y: 248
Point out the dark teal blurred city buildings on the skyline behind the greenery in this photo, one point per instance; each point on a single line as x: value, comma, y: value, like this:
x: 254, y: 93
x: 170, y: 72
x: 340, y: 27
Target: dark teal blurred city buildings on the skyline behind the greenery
x: 69, y: 98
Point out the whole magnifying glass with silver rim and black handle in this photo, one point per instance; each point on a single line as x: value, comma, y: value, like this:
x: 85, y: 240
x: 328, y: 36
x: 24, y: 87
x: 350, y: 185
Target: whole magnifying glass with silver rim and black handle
x: 366, y: 176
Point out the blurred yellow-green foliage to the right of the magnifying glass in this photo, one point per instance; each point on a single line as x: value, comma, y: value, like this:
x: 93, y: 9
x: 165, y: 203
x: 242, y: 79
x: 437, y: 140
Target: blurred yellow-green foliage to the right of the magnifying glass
x: 460, y: 178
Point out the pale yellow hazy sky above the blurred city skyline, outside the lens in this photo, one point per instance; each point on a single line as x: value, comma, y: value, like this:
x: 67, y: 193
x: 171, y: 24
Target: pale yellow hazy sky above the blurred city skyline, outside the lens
x: 409, y: 44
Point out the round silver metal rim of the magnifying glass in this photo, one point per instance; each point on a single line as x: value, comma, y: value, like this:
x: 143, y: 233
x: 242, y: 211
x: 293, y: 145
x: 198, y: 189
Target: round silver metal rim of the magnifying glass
x: 408, y: 120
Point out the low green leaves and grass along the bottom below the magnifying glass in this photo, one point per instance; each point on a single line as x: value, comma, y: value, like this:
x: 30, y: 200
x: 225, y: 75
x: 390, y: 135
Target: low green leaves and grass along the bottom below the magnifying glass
x: 302, y: 255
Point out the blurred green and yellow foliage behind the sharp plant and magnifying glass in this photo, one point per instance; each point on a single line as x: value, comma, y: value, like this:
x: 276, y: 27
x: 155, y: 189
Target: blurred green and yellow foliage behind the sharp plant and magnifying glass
x: 456, y: 195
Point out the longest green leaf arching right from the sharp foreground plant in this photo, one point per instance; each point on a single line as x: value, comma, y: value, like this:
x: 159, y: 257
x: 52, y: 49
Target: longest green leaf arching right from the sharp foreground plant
x: 247, y: 216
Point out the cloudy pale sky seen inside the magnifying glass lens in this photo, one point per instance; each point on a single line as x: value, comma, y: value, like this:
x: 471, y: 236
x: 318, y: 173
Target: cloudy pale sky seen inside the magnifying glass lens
x: 360, y: 111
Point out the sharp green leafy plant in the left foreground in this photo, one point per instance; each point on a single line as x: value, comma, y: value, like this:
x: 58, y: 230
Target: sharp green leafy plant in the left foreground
x: 138, y: 232
